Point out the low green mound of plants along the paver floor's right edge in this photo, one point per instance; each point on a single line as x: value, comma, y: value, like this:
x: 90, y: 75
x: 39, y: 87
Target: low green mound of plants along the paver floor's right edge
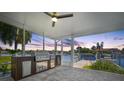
x: 105, y: 65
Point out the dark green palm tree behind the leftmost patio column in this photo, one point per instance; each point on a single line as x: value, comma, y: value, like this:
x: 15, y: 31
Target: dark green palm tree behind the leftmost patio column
x: 10, y: 34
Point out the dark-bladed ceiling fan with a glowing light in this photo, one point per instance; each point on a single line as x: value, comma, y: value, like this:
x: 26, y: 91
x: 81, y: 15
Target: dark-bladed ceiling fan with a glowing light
x: 55, y: 17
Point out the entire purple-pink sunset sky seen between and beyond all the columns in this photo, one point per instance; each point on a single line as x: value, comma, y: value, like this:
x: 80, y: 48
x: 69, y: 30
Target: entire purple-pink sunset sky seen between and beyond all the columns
x: 111, y: 40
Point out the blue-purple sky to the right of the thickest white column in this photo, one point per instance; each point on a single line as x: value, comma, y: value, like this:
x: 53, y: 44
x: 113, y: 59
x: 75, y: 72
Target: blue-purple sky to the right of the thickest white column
x: 111, y: 39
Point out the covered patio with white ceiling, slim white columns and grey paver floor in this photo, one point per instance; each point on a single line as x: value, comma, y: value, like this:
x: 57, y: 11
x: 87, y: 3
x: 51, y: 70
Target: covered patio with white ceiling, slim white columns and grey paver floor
x: 81, y: 24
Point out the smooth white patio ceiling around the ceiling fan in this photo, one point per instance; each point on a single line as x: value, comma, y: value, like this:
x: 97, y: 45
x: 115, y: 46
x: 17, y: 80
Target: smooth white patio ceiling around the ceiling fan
x: 82, y: 23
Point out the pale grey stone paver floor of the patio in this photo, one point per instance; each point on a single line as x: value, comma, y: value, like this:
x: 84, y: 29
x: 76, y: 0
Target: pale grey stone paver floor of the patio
x: 65, y: 73
